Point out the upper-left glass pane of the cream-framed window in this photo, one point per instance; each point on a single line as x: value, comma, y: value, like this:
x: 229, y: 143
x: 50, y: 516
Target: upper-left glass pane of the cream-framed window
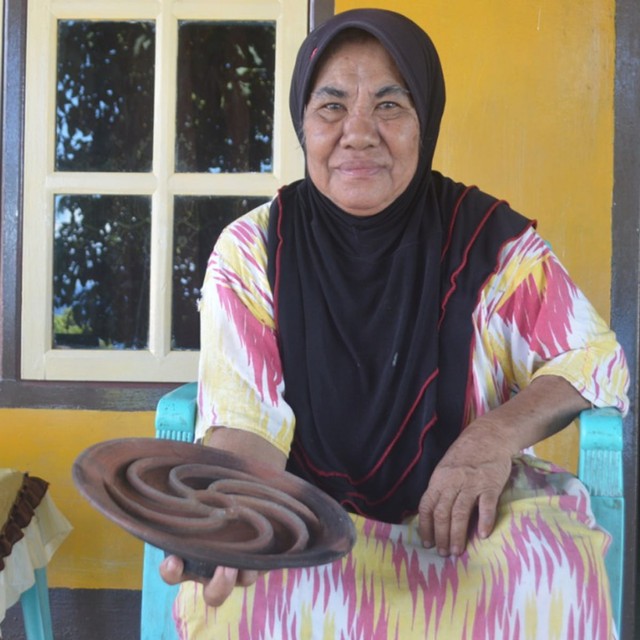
x: 104, y: 105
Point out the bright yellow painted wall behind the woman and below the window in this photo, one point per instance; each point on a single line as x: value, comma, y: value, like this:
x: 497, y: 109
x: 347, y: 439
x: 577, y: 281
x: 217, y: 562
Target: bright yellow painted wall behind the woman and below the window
x: 529, y: 118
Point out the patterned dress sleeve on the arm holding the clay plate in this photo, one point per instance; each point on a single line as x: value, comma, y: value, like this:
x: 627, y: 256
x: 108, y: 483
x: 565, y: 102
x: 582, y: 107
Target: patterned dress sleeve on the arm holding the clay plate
x: 240, y: 381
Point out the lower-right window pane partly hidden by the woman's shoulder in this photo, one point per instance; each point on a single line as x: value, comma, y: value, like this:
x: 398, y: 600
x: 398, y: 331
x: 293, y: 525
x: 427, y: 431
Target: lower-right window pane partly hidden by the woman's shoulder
x: 198, y: 222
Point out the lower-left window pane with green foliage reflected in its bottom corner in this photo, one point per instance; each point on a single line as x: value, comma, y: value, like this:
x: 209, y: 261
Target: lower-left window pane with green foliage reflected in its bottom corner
x: 101, y: 271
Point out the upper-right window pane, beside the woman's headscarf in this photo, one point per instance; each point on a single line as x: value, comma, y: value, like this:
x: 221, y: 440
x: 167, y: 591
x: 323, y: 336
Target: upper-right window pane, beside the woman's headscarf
x: 225, y: 97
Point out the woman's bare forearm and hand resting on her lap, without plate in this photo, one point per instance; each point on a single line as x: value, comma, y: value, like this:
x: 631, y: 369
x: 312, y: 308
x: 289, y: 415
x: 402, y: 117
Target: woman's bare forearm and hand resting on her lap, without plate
x: 476, y: 468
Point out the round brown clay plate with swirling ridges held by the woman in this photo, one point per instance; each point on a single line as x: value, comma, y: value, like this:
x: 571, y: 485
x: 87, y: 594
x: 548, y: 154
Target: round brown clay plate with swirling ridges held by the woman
x: 210, y: 507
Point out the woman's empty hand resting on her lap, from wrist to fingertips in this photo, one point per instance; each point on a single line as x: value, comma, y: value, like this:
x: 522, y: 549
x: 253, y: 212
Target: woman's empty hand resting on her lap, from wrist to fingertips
x: 472, y: 474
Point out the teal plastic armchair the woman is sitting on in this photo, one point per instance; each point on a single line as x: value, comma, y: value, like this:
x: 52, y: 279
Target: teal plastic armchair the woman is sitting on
x: 600, y: 468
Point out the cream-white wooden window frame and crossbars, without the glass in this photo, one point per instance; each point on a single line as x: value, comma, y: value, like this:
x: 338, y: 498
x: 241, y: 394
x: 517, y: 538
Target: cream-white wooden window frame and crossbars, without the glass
x: 39, y: 361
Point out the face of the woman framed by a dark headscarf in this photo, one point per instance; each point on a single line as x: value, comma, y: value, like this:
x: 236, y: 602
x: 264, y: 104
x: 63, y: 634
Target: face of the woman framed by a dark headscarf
x: 361, y: 130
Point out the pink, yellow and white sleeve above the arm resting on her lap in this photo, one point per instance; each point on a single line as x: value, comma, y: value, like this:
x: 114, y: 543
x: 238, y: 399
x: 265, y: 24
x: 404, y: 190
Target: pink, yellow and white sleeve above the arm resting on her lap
x: 532, y: 320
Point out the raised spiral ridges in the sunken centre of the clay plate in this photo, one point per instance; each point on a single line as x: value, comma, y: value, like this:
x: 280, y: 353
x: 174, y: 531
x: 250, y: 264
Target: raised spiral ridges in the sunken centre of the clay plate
x: 213, y: 506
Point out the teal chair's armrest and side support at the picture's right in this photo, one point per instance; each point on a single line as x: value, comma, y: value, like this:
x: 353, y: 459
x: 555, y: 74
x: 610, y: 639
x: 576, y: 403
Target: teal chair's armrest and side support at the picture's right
x: 600, y: 469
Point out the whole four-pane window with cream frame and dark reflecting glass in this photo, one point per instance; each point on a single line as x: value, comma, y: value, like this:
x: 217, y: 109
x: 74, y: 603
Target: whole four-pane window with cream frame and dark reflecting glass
x: 148, y: 127
